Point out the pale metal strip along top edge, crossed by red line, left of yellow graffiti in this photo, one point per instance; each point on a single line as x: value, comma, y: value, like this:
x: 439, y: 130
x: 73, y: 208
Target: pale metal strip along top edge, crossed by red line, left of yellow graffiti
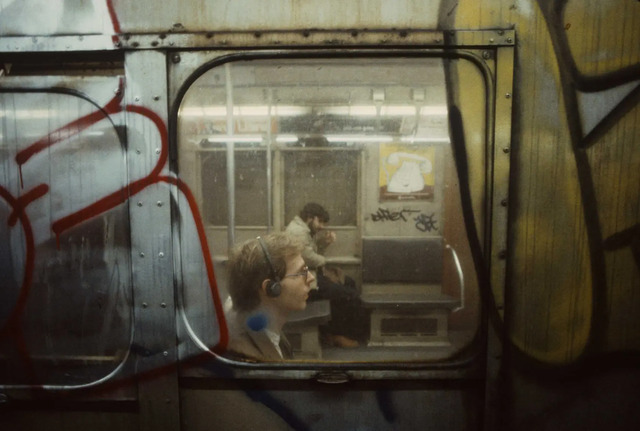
x: 59, y: 17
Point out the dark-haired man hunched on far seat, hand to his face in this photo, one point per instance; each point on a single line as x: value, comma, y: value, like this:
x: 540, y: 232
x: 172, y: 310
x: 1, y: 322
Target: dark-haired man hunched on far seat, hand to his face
x: 347, y: 327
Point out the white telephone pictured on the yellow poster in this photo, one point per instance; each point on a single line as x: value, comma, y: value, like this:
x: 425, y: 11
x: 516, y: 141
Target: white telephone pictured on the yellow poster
x: 408, y: 178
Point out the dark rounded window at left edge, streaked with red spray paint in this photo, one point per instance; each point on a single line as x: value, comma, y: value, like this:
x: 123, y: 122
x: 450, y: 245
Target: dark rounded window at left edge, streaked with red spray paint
x: 65, y: 301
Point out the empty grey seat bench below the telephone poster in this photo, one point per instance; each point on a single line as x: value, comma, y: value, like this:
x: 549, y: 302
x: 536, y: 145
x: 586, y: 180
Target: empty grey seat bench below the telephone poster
x: 402, y: 285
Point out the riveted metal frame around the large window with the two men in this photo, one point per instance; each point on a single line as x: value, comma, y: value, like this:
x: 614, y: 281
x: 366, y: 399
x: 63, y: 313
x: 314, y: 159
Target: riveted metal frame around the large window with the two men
x: 492, y: 51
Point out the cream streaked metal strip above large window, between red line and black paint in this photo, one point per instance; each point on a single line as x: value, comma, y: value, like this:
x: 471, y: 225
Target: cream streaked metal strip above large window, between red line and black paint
x: 256, y: 15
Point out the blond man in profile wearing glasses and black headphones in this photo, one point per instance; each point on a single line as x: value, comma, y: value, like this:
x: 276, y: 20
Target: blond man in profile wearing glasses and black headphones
x: 268, y: 279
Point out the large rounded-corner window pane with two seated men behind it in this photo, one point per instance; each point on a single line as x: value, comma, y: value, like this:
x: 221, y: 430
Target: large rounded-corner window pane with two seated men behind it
x: 367, y: 143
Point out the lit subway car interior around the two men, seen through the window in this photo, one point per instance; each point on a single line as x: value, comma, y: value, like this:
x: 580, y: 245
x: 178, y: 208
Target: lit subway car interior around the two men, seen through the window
x: 376, y: 154
